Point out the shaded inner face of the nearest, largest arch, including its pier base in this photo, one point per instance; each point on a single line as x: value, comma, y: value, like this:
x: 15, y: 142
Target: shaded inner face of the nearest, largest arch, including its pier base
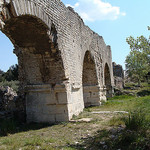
x: 41, y: 70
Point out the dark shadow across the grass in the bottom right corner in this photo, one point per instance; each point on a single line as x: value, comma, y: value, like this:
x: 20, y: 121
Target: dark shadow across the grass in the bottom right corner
x: 113, y: 139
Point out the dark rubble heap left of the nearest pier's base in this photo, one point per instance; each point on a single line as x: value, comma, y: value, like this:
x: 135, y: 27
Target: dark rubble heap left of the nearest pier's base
x: 11, y: 104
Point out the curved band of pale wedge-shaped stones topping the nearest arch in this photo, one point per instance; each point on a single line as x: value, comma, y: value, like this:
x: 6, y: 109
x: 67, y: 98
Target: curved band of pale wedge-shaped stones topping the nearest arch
x: 14, y: 8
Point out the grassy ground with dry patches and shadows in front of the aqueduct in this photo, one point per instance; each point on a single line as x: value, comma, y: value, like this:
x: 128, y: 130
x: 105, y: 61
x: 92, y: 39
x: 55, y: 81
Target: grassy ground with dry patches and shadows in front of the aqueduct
x: 110, y: 131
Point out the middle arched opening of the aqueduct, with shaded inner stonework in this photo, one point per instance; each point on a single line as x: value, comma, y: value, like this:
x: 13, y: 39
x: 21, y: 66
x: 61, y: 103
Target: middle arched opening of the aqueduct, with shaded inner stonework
x: 90, y: 82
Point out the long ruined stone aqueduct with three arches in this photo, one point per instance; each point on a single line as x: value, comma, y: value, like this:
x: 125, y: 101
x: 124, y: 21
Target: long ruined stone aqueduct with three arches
x: 63, y: 65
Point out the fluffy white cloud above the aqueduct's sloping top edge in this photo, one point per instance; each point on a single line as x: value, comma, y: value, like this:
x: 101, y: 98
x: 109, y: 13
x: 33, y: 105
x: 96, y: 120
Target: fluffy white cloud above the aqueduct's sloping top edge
x: 92, y: 10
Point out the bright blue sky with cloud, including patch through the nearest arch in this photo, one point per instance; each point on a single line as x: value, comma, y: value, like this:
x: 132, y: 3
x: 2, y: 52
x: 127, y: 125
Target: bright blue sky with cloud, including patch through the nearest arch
x: 115, y: 20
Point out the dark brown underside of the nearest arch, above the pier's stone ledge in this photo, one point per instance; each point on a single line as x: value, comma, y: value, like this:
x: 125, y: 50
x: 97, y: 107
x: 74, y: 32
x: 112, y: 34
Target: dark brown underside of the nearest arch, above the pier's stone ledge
x: 39, y: 58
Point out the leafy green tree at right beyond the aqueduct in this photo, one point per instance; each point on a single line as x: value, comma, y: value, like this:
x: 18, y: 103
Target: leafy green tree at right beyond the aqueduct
x: 138, y: 60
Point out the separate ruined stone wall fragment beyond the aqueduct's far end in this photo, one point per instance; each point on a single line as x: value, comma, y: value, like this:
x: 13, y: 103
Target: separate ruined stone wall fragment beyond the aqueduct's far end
x: 118, y: 76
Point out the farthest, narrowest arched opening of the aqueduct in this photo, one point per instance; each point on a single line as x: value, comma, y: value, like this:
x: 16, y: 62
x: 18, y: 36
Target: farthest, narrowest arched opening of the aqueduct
x: 107, y: 80
